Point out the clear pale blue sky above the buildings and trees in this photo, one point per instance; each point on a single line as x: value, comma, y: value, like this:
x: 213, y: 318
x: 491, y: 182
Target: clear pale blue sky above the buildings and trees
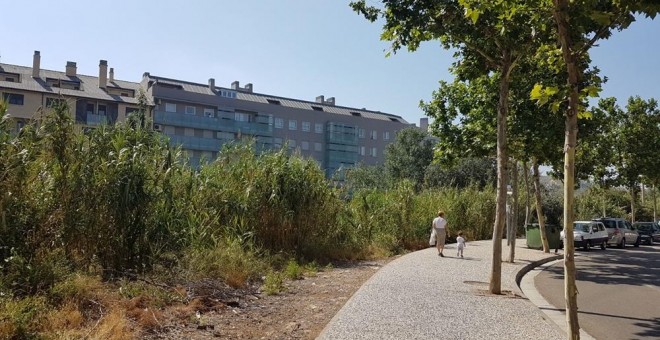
x: 291, y: 48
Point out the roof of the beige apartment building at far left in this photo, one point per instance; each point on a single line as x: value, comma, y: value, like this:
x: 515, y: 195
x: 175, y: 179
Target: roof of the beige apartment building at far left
x: 89, y: 84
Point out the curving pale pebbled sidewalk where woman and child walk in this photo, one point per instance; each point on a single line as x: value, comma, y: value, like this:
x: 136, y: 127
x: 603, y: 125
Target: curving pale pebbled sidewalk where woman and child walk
x: 423, y: 296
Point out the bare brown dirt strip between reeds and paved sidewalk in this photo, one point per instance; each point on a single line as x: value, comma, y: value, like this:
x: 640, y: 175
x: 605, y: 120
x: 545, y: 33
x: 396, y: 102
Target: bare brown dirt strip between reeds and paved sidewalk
x: 301, y: 312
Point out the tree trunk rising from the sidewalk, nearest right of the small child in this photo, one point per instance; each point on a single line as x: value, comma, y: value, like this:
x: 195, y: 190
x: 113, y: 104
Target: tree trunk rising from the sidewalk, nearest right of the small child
x: 495, y: 285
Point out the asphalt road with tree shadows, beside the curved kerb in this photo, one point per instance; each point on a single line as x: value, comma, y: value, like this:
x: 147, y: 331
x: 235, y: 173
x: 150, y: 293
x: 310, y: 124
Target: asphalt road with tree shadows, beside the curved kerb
x: 618, y: 291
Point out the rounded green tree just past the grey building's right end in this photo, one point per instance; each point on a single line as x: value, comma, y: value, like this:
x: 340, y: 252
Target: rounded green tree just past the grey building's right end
x: 409, y: 156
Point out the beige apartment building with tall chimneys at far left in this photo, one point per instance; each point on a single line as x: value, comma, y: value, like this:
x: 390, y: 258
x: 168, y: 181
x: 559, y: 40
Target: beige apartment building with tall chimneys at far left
x: 93, y: 100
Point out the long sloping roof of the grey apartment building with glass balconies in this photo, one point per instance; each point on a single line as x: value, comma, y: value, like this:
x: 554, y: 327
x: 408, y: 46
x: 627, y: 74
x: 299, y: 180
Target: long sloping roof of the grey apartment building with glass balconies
x: 286, y: 102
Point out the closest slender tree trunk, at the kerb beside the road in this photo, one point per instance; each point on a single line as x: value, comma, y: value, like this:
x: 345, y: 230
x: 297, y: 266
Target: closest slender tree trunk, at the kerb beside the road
x: 560, y: 14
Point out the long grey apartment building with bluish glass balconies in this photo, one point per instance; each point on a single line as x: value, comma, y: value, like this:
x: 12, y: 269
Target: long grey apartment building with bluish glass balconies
x: 203, y: 117
